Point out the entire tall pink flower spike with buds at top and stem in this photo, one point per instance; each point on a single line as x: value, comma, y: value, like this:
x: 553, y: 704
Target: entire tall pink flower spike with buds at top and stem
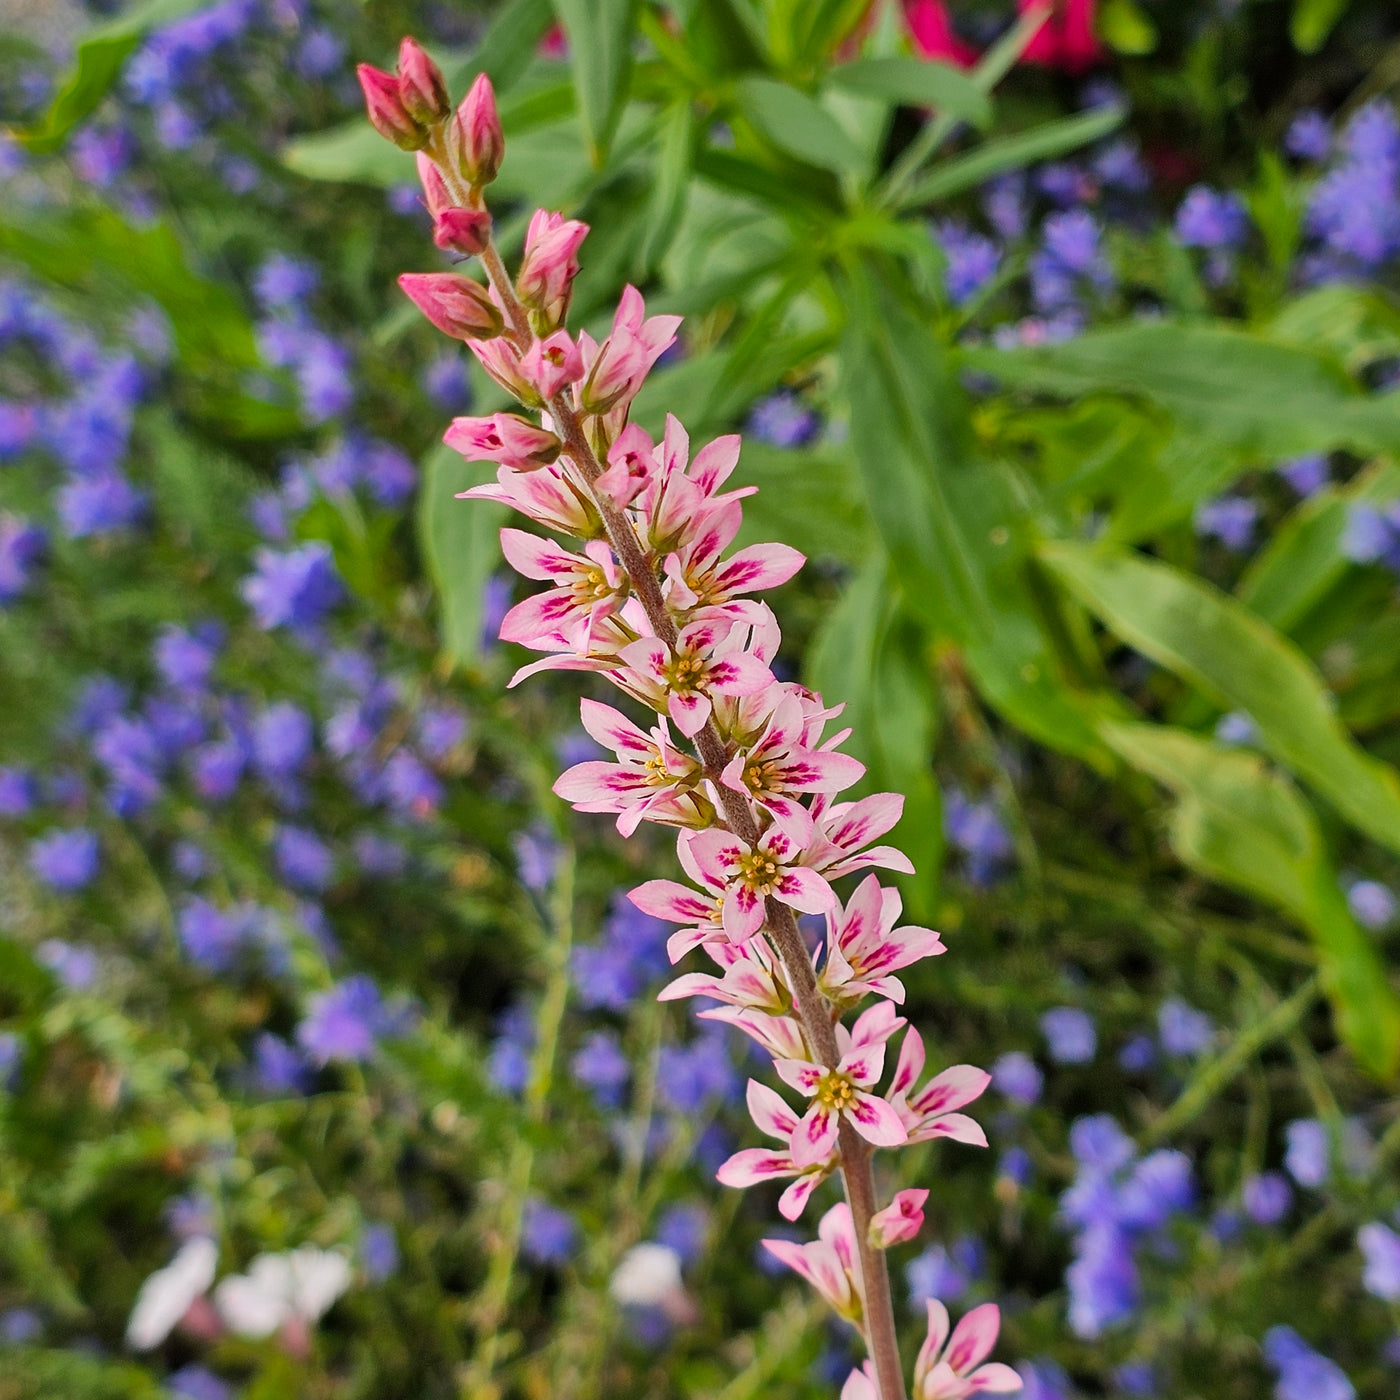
x: 736, y: 759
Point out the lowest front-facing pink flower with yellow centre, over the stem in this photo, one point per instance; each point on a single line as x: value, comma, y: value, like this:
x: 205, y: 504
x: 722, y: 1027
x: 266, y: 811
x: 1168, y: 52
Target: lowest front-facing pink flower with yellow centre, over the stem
x: 843, y: 1090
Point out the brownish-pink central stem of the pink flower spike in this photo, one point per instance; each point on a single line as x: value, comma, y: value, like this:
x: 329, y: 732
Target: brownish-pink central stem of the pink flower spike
x: 814, y: 1010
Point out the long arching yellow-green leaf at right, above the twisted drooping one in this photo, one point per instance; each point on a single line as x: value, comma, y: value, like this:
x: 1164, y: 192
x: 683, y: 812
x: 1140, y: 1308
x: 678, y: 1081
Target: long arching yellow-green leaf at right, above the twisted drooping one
x: 1240, y: 661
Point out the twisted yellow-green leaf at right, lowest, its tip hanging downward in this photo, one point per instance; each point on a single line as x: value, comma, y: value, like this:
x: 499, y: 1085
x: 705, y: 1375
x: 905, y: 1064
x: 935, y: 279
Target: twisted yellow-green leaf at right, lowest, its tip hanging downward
x: 1247, y: 827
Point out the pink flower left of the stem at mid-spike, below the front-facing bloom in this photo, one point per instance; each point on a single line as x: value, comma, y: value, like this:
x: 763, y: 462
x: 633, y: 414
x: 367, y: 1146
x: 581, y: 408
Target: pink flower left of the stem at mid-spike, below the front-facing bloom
x: 653, y: 779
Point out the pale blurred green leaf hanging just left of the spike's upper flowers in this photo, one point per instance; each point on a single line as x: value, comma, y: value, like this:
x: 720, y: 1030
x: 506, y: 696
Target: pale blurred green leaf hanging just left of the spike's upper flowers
x: 461, y: 544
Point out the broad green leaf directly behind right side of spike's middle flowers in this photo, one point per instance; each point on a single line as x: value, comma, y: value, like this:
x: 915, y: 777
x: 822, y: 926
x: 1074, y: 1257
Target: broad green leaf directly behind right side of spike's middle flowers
x: 871, y: 657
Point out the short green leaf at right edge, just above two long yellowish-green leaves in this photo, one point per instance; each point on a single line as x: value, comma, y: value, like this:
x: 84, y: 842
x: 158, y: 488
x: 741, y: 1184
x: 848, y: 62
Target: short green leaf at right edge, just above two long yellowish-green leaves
x: 1304, y: 559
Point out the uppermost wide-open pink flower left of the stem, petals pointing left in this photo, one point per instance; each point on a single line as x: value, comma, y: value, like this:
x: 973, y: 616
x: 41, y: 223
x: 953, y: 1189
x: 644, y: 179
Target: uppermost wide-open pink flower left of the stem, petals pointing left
x: 589, y: 589
